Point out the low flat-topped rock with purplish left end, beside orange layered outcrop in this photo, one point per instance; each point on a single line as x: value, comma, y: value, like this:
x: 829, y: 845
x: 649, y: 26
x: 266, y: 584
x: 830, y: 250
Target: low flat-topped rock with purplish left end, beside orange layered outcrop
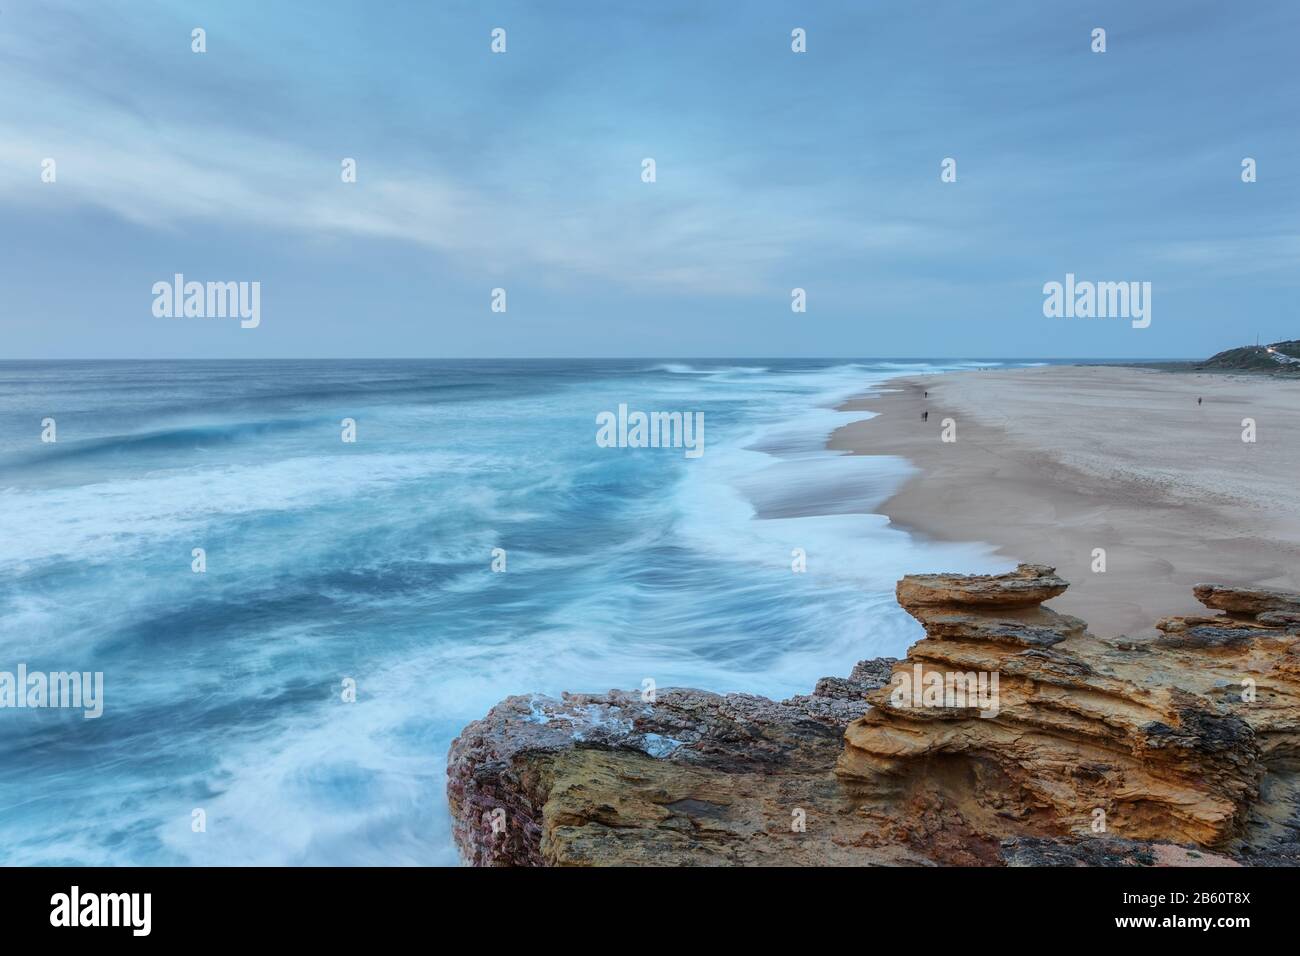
x: 691, y: 778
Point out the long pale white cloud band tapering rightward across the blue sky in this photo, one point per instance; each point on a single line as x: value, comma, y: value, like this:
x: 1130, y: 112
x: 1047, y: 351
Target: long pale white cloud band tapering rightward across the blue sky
x: 709, y: 237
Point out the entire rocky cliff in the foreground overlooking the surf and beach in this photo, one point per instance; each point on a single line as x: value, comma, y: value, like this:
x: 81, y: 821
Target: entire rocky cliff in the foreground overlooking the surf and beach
x: 1008, y: 737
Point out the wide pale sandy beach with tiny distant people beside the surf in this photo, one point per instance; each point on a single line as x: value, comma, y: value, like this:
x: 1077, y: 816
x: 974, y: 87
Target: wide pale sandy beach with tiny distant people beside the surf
x: 1051, y: 464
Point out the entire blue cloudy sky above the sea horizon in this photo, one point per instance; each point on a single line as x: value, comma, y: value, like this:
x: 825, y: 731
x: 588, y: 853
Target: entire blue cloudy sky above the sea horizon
x: 523, y: 171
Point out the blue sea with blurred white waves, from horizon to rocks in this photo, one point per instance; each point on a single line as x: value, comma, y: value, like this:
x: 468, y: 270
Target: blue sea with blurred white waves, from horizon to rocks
x: 372, y: 561
